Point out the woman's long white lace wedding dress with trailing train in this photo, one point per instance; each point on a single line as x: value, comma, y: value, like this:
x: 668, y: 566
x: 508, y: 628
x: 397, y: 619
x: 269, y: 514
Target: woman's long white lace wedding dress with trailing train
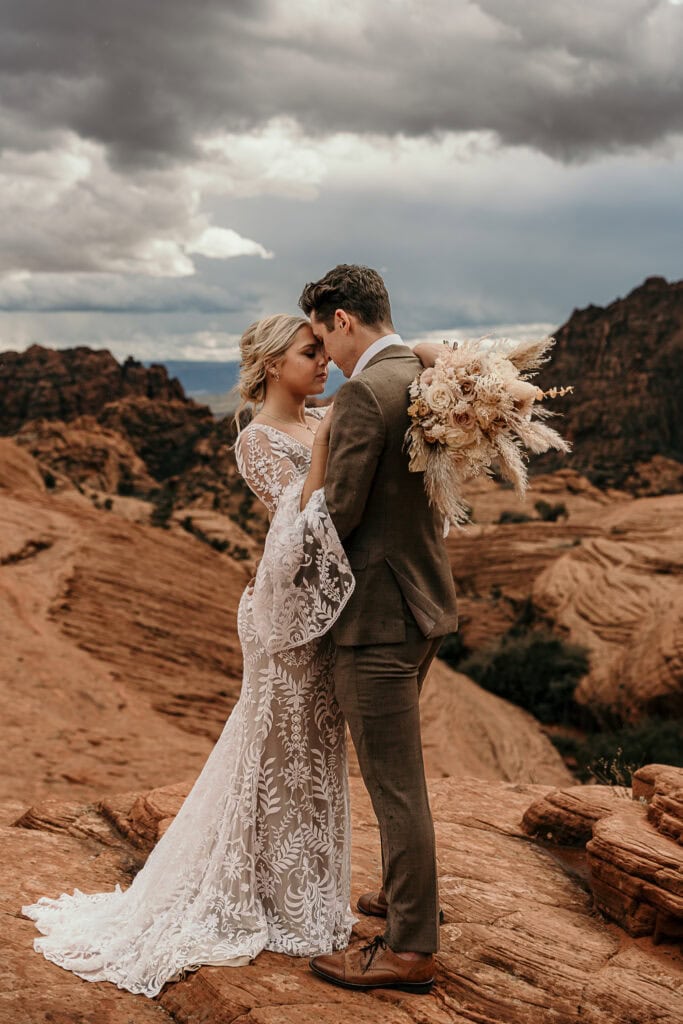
x: 259, y: 856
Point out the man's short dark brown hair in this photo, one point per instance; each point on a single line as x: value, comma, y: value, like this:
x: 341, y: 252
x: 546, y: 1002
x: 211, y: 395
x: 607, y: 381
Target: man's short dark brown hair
x: 359, y: 290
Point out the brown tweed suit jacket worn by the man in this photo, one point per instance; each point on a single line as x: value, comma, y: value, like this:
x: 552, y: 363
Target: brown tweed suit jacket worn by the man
x: 393, y: 537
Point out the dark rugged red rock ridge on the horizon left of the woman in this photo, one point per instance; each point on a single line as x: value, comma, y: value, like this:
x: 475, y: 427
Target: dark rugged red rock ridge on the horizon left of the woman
x: 123, y: 431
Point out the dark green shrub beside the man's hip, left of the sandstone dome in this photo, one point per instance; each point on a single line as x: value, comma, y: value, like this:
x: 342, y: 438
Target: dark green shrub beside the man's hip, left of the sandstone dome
x: 537, y: 671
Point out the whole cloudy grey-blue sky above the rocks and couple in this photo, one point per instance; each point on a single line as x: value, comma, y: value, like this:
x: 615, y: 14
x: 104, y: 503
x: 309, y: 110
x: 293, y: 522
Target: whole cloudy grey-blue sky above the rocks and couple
x: 169, y: 172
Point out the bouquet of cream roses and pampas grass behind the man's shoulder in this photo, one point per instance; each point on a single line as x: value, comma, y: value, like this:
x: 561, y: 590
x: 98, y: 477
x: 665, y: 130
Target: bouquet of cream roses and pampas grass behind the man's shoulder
x: 477, y: 410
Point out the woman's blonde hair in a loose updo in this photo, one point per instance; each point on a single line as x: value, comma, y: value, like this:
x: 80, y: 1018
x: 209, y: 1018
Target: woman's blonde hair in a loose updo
x: 263, y: 345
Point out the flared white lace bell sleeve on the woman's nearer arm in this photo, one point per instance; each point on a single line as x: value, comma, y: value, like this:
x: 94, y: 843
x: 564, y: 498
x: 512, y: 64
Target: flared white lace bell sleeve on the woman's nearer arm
x: 305, y: 579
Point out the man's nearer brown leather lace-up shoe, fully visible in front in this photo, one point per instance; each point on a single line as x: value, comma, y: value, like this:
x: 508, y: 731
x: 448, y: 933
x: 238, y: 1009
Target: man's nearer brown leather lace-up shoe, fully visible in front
x: 375, y: 966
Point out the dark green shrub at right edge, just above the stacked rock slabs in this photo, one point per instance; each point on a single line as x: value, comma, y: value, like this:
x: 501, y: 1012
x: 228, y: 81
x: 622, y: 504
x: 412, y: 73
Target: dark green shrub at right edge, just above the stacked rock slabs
x: 613, y: 757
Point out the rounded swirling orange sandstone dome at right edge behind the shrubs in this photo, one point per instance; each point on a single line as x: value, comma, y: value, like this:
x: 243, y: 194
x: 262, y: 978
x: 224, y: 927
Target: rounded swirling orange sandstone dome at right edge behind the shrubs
x: 621, y: 595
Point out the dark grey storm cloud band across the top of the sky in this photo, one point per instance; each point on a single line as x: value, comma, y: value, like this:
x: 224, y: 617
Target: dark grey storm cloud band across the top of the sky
x: 146, y: 79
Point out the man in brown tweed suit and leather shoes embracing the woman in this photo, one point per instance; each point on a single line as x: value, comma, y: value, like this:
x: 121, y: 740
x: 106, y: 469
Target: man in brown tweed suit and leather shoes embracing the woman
x: 390, y: 632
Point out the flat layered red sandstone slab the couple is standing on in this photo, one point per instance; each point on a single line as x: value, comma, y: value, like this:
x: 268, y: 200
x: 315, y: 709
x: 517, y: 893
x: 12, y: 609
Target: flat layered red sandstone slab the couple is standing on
x: 521, y: 944
